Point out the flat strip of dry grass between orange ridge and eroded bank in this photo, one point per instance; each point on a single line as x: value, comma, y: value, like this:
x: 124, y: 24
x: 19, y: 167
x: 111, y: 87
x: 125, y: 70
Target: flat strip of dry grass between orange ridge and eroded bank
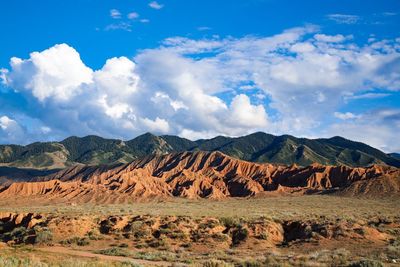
x: 275, y: 208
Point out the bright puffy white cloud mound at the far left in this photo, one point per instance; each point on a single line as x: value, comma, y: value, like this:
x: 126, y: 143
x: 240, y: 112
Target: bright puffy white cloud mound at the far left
x: 57, y: 72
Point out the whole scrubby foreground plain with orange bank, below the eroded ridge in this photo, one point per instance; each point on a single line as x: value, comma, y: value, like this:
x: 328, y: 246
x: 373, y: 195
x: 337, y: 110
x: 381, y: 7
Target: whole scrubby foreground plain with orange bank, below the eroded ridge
x: 273, y: 231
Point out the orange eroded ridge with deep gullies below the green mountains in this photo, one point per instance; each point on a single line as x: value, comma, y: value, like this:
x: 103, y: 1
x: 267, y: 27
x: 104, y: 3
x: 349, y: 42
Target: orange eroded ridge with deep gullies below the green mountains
x: 203, y: 175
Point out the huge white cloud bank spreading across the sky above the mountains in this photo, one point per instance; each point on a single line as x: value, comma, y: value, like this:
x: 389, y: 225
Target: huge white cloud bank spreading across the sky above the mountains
x: 201, y: 88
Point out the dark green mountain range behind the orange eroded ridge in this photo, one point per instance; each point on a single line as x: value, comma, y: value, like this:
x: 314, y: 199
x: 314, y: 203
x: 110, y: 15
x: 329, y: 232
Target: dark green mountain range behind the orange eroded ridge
x: 257, y: 147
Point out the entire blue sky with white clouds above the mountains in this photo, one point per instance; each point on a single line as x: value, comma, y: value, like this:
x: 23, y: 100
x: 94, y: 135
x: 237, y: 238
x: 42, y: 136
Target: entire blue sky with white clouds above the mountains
x: 199, y: 69
